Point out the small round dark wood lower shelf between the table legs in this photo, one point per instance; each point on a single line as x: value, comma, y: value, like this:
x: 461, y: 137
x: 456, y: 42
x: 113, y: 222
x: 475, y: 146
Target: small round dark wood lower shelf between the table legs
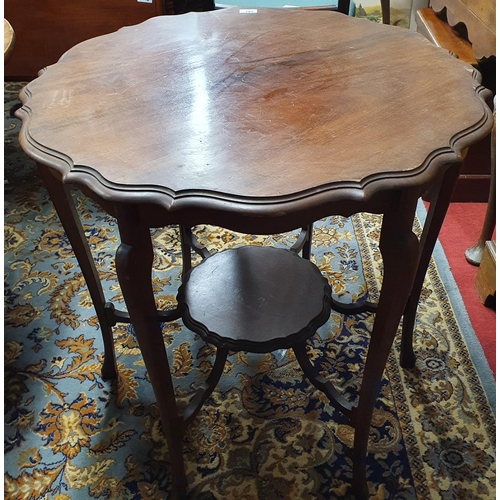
x: 256, y: 299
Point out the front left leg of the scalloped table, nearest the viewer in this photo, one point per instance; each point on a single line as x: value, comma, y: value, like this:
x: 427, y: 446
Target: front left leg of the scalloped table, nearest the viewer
x: 134, y: 259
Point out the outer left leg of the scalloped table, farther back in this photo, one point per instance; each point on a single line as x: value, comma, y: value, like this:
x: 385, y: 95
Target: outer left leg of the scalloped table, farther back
x: 65, y: 208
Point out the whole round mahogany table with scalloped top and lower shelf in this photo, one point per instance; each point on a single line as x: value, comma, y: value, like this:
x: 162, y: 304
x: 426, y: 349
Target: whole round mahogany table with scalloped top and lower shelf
x: 261, y: 121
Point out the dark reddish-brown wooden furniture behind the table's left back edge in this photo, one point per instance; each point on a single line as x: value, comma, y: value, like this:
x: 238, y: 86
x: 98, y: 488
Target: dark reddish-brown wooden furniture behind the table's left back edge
x: 46, y: 29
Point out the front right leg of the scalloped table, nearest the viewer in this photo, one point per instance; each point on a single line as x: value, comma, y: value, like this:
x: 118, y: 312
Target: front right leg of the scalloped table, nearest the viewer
x: 399, y: 249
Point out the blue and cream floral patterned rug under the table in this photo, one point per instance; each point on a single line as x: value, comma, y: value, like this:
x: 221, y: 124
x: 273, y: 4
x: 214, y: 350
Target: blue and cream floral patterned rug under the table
x: 265, y: 433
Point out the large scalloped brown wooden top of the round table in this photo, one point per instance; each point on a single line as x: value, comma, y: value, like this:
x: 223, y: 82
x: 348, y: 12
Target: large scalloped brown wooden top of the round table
x: 262, y: 105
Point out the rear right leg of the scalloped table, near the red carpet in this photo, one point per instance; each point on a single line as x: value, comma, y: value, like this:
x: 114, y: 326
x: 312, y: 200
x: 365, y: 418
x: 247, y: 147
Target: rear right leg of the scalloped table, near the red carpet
x: 439, y: 202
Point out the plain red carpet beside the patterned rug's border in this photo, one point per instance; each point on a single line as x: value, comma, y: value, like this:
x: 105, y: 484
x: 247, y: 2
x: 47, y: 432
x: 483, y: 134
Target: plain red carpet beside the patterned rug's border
x: 460, y: 231
